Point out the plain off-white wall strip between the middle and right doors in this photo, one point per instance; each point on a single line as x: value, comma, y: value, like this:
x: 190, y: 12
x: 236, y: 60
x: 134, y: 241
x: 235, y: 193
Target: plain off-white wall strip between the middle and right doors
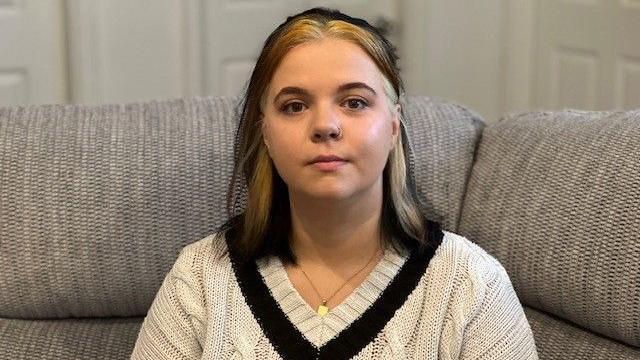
x: 459, y: 46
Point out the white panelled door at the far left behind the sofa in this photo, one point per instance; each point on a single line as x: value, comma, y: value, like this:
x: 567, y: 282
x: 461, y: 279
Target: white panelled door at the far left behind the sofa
x: 33, y: 61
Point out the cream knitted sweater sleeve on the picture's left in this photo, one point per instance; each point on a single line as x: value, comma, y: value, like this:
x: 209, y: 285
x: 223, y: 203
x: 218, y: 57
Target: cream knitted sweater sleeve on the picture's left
x: 174, y: 323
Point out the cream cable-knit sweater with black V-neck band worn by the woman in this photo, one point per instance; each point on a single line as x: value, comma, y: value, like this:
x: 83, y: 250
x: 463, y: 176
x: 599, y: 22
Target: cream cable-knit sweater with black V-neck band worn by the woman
x: 457, y: 302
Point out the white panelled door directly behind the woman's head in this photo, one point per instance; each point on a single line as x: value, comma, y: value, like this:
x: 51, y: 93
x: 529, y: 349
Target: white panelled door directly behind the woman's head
x: 234, y: 32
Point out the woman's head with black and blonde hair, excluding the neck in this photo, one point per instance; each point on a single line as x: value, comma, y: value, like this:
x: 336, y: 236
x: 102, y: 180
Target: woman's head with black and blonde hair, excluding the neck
x: 324, y: 84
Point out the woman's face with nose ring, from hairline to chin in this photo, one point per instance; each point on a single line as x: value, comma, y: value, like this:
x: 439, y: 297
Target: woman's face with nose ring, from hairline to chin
x: 326, y: 98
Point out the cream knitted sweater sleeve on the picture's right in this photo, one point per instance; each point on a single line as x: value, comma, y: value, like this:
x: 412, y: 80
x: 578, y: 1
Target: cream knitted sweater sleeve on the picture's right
x: 499, y: 328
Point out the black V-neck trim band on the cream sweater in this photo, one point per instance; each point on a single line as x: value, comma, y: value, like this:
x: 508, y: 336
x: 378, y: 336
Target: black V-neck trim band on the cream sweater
x: 290, y: 343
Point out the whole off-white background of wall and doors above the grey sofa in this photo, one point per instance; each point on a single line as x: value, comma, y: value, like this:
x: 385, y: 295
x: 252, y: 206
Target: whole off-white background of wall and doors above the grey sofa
x: 493, y: 56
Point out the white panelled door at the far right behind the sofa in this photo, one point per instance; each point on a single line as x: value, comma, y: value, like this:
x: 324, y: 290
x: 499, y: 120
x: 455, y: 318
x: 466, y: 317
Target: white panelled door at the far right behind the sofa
x: 588, y: 54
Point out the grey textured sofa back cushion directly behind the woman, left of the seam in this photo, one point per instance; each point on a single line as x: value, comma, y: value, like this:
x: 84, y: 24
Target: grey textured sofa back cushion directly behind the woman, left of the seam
x: 97, y: 201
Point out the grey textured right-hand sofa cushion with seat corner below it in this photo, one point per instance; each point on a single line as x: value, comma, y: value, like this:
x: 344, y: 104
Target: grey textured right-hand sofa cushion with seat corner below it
x: 554, y: 197
